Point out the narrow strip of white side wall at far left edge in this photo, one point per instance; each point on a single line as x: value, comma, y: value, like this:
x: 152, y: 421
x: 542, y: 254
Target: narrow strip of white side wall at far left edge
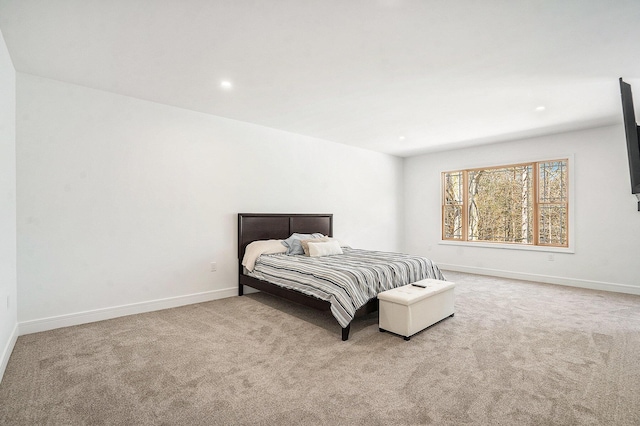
x: 8, y: 280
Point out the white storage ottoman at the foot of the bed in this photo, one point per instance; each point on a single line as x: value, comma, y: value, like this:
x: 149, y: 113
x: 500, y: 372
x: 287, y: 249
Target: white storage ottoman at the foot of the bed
x: 409, y: 309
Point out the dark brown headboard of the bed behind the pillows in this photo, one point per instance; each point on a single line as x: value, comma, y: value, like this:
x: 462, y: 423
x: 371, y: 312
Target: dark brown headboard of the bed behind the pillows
x: 278, y: 226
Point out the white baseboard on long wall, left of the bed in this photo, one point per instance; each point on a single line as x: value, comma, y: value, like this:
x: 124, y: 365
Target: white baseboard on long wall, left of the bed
x: 51, y: 323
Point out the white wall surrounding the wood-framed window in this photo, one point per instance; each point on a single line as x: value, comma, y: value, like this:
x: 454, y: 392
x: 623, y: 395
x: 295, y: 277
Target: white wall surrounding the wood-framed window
x: 607, y: 223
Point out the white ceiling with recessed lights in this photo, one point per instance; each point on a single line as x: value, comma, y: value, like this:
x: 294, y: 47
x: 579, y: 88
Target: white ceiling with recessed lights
x: 395, y: 76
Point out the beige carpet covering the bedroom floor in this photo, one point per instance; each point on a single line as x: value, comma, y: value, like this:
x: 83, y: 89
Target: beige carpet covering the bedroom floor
x: 516, y: 353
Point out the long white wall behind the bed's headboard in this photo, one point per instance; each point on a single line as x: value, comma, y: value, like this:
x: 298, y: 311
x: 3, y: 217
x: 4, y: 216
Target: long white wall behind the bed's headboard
x: 123, y: 201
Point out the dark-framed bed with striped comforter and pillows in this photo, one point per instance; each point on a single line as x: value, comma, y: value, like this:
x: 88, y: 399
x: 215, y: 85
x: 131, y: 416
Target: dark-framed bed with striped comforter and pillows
x: 262, y: 227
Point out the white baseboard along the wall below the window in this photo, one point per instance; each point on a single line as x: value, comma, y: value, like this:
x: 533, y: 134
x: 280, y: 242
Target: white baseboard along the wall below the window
x: 571, y: 282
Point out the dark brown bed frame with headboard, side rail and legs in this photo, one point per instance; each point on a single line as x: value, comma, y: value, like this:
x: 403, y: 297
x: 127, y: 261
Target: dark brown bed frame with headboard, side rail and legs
x: 262, y: 226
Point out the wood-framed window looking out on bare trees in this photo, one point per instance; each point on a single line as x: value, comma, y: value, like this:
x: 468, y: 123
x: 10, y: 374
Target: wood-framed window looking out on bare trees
x: 516, y: 204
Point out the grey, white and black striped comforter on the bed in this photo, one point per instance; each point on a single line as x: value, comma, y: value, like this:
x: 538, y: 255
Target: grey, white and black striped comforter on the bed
x: 348, y: 281
